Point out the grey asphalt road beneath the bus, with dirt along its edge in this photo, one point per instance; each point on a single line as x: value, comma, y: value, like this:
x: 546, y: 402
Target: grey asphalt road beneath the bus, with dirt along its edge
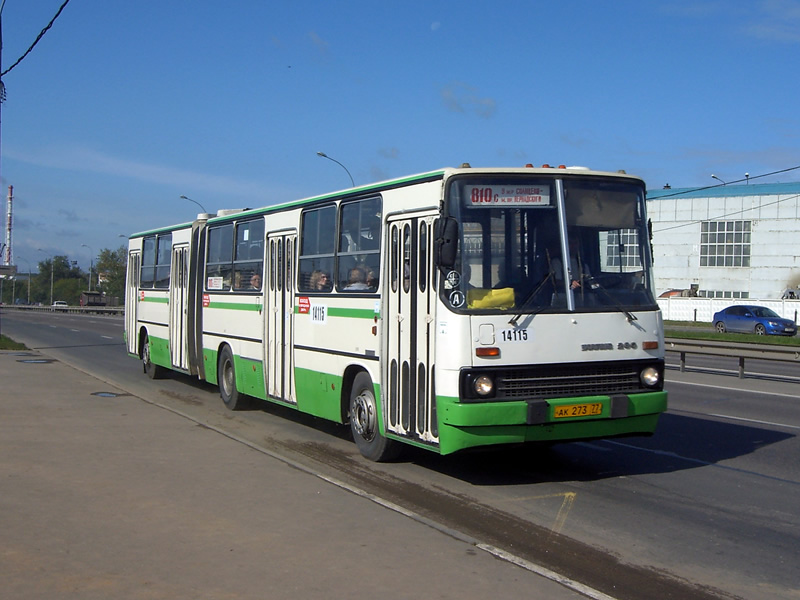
x: 705, y: 508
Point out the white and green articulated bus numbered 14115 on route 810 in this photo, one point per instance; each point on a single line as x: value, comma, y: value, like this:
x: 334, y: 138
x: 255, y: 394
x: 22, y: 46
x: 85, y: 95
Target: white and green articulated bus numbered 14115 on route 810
x: 453, y: 309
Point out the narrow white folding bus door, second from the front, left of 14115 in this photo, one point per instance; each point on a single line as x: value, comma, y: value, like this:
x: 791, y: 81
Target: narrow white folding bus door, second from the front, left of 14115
x: 279, y: 309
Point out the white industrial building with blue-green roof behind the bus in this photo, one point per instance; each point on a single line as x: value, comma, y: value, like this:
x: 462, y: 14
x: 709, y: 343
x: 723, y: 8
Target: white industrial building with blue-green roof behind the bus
x: 727, y: 241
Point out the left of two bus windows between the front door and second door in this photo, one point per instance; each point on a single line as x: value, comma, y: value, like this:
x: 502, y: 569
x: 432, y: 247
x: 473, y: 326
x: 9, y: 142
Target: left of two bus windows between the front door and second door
x: 317, y: 241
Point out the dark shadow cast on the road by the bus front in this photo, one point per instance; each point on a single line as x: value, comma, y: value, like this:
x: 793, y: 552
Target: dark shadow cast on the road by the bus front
x: 680, y: 443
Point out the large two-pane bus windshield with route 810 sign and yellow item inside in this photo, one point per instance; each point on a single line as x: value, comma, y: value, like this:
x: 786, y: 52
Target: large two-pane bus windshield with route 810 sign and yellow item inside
x: 514, y: 233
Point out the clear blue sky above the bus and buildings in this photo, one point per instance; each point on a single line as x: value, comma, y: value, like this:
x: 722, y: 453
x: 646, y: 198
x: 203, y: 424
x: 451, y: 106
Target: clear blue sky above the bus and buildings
x: 124, y: 106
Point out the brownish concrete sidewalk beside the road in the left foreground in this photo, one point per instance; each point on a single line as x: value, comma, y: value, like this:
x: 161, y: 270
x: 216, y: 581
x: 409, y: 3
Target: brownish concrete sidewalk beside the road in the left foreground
x: 107, y: 497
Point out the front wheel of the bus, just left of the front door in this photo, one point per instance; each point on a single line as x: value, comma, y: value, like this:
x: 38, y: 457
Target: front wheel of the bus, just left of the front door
x: 364, y: 422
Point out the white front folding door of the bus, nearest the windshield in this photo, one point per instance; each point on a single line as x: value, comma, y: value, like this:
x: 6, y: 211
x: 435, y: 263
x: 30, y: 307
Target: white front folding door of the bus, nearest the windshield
x: 409, y: 343
